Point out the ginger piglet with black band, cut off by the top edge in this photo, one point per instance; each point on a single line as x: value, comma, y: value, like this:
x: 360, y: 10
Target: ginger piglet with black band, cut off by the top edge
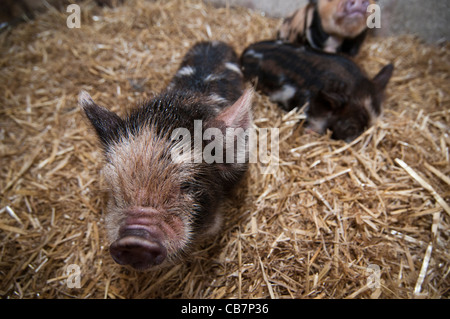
x: 328, y: 25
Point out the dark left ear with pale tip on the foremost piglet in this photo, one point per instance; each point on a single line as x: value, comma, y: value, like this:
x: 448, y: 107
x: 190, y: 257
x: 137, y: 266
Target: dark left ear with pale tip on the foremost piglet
x: 105, y: 122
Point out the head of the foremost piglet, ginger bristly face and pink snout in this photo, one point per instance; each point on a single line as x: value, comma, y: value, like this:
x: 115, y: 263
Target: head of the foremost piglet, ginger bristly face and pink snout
x: 158, y: 206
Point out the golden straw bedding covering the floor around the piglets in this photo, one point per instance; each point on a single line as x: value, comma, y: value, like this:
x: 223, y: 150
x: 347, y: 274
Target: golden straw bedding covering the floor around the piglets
x: 333, y: 217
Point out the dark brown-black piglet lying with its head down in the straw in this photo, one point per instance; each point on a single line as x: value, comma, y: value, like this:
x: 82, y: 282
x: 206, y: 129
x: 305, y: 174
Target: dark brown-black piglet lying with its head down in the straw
x: 341, y: 97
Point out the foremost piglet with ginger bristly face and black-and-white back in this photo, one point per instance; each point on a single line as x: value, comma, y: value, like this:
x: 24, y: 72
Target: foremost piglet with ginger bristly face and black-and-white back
x: 161, y: 200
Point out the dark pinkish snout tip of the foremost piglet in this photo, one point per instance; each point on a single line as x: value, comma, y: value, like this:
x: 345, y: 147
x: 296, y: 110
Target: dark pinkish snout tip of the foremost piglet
x: 138, y: 249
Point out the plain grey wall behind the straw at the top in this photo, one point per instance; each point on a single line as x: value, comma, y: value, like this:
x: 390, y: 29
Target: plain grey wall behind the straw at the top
x: 428, y: 19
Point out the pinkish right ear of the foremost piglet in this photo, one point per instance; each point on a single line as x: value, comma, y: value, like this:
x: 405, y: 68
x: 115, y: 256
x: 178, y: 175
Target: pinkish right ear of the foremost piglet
x: 239, y: 114
